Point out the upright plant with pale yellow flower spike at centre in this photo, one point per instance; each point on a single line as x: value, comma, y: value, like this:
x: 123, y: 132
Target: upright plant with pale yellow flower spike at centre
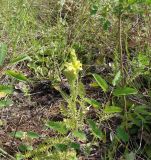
x: 74, y: 116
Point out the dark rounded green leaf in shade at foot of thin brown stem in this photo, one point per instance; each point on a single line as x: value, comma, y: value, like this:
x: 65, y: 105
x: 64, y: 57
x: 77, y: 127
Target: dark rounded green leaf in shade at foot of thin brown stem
x: 122, y: 134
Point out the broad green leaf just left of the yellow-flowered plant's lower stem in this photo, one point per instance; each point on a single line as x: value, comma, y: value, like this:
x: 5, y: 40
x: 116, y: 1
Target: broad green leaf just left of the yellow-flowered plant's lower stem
x: 57, y: 126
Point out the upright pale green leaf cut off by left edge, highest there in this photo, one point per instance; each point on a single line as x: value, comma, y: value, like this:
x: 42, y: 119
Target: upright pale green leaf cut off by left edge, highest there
x: 3, y: 53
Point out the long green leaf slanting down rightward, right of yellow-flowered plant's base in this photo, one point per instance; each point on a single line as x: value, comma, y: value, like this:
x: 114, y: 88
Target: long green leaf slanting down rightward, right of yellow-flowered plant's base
x: 95, y: 130
